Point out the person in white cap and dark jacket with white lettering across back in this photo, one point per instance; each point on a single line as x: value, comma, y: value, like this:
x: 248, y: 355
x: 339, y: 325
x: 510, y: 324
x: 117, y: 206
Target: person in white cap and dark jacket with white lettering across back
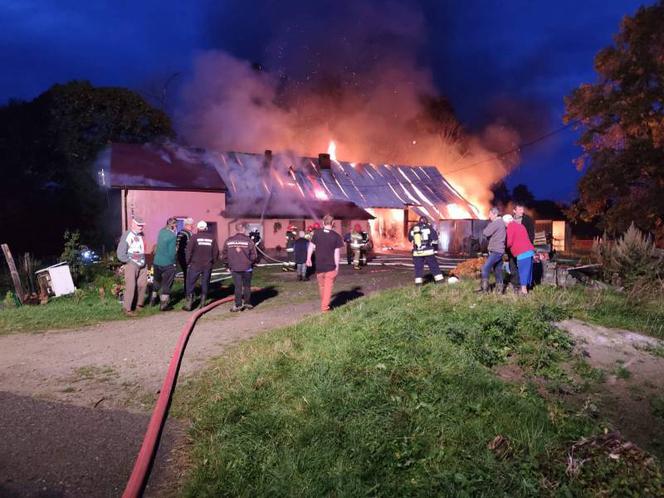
x: 202, y: 252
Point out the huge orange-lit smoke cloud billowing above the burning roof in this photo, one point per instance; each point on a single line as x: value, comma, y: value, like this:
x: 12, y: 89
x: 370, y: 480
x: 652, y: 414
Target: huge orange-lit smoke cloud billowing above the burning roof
x: 339, y: 78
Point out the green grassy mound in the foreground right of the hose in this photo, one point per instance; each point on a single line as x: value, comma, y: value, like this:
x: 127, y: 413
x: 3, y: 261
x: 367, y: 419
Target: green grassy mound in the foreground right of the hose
x: 393, y: 395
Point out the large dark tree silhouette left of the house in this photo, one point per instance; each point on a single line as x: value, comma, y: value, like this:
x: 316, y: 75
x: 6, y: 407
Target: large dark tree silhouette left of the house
x: 48, y: 147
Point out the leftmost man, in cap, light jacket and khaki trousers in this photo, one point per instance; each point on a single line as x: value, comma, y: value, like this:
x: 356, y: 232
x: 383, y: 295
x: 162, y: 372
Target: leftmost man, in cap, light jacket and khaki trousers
x: 131, y: 251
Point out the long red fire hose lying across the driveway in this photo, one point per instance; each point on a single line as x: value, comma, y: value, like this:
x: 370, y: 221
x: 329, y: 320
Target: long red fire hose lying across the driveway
x: 141, y: 472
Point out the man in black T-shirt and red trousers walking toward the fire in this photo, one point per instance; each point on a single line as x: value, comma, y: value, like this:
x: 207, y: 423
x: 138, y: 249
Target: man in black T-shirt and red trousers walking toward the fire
x: 327, y: 243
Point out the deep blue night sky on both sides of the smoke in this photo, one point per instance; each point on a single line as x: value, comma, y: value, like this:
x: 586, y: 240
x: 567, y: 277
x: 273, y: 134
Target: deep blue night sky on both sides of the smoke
x: 511, y: 60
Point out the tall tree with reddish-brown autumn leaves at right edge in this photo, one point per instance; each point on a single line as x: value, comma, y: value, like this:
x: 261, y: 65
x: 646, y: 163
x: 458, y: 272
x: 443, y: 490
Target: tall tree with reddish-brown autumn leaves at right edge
x: 621, y: 117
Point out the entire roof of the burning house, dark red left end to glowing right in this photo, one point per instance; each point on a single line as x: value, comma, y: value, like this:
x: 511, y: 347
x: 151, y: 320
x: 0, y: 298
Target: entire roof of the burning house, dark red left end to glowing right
x: 286, y: 178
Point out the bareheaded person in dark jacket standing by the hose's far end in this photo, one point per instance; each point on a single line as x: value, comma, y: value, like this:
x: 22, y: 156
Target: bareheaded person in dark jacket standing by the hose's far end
x: 239, y: 254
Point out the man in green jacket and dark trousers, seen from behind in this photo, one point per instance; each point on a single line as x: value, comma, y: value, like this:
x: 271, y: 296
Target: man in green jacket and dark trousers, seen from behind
x: 164, y: 266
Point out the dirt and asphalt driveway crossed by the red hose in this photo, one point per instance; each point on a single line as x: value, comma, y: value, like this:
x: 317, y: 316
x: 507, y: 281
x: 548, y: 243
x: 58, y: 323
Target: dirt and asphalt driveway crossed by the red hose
x: 74, y: 404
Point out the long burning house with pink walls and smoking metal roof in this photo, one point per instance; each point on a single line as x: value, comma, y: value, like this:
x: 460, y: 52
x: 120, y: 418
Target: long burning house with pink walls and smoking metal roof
x: 272, y: 191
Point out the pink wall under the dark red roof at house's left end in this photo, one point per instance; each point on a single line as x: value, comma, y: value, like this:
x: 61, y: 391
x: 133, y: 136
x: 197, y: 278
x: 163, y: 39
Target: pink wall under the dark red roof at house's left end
x: 156, y: 206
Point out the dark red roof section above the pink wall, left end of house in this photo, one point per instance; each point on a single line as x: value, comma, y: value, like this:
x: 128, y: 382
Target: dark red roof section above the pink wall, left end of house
x: 152, y: 166
